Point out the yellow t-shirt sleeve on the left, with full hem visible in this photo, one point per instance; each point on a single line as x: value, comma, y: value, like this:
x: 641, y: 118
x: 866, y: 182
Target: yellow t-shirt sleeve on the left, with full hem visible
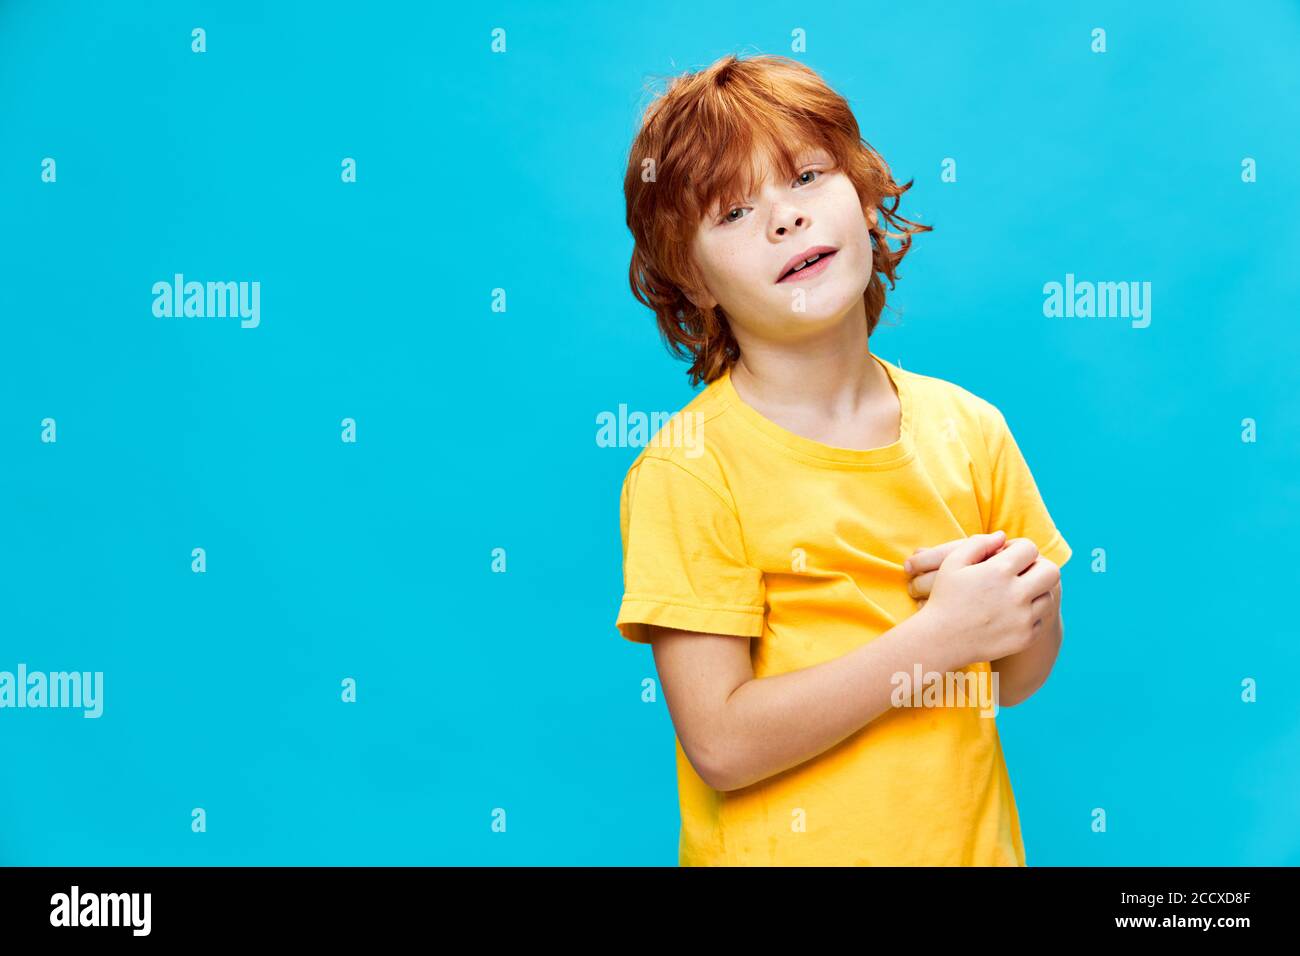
x: 684, y: 563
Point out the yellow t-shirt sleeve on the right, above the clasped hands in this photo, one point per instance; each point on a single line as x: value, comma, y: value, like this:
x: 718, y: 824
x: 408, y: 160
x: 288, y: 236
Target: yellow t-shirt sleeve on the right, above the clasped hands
x: 1013, y: 501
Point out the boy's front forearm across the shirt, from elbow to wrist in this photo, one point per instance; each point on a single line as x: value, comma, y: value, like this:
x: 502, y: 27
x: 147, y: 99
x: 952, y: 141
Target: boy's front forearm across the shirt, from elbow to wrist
x: 778, y: 723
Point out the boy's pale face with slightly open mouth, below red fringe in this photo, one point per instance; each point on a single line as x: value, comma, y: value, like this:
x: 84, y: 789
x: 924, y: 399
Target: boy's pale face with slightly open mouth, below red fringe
x: 743, y: 254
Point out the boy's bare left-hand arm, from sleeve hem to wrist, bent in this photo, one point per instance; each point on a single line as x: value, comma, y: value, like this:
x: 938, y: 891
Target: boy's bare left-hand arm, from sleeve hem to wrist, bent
x: 738, y: 729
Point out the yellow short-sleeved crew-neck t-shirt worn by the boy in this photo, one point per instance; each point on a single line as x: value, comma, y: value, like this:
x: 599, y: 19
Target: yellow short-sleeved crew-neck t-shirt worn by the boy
x: 734, y: 525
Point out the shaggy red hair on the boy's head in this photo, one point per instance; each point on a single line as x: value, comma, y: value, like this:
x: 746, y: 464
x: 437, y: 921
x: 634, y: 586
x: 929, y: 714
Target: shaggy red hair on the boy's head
x: 695, y: 149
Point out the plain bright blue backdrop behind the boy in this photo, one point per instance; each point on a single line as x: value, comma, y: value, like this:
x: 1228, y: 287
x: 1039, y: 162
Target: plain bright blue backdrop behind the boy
x: 478, y: 429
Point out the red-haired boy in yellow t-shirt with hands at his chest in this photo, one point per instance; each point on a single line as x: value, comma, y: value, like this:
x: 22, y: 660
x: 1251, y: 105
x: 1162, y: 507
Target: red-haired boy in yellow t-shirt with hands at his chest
x: 850, y: 524
